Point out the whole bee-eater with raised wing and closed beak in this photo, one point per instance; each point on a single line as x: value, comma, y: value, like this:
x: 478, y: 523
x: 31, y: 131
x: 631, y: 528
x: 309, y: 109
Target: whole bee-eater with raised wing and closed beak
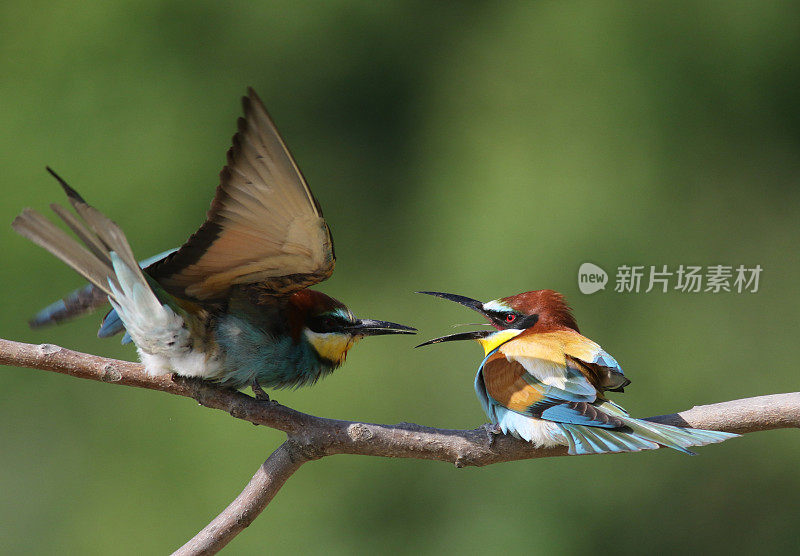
x: 232, y: 304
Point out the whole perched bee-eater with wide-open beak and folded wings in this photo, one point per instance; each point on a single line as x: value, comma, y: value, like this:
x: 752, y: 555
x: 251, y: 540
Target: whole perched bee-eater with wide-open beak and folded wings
x: 544, y: 382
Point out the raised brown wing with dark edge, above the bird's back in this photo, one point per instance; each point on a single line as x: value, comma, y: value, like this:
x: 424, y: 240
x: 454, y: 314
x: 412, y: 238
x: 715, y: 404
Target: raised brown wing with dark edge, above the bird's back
x: 264, y: 225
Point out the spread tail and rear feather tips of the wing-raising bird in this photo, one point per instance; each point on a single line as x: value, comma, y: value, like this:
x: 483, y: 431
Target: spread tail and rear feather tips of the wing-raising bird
x: 105, y: 258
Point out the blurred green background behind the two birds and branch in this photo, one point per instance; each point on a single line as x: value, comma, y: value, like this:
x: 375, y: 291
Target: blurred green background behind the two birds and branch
x: 477, y: 148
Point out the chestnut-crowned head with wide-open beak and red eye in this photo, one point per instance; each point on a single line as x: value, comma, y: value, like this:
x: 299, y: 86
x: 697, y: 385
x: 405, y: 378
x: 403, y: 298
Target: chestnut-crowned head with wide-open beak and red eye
x: 539, y: 310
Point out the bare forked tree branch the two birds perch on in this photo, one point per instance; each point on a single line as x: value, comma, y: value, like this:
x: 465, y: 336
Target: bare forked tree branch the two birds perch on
x: 311, y: 437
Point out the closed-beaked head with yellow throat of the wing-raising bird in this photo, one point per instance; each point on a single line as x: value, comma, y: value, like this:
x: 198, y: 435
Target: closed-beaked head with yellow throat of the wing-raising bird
x: 330, y: 327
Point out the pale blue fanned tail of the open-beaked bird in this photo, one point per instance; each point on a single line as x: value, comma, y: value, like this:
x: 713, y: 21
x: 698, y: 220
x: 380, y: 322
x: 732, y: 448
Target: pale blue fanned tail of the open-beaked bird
x: 638, y: 435
